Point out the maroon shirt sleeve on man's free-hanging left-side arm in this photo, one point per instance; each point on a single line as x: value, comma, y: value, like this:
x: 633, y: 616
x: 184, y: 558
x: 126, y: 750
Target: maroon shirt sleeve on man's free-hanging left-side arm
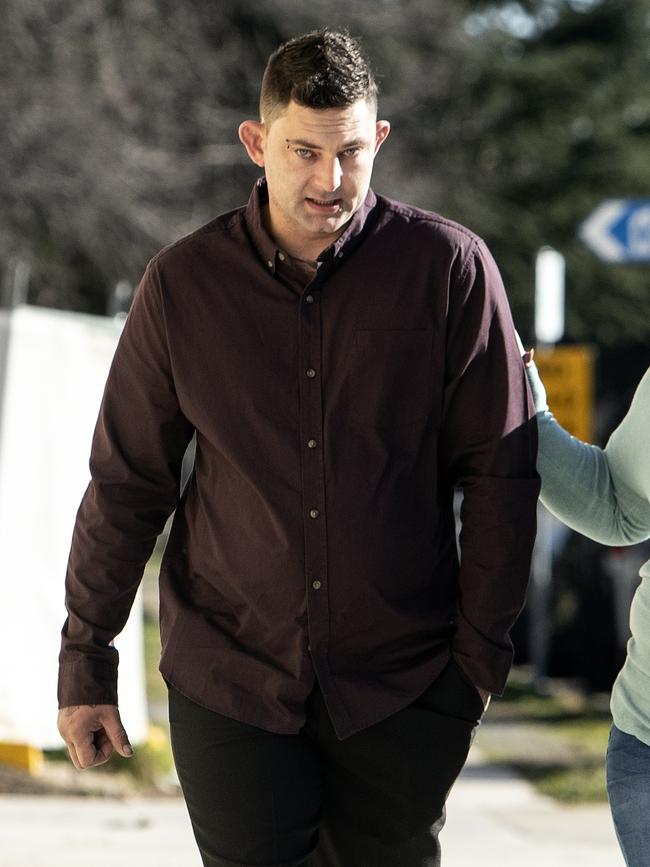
x: 137, y: 450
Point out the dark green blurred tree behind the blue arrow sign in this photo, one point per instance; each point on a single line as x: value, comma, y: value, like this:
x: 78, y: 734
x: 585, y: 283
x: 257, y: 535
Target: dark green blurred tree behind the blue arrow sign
x: 558, y: 119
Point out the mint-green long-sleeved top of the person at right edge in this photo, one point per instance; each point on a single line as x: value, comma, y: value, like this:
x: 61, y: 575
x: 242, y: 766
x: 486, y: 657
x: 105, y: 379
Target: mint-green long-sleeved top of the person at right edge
x: 605, y: 494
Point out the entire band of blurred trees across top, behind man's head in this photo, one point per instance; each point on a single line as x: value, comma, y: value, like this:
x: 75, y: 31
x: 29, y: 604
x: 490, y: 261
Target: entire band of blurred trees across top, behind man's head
x: 120, y: 127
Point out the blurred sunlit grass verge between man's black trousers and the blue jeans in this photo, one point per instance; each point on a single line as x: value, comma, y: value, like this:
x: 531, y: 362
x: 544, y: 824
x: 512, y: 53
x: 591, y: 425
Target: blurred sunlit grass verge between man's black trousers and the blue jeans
x: 556, y: 739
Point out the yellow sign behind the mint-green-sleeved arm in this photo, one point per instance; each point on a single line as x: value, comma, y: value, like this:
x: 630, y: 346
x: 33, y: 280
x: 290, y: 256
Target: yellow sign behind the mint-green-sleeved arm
x: 568, y: 375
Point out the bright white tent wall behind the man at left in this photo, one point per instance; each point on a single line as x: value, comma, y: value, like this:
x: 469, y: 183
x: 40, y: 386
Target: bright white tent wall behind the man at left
x: 53, y: 366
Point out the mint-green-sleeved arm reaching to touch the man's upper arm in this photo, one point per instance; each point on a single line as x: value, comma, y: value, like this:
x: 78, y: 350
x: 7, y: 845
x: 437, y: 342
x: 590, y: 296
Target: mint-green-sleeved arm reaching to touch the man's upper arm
x: 595, y: 491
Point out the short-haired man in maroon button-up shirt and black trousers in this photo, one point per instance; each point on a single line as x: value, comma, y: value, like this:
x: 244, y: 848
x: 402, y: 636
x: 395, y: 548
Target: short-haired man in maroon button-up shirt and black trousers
x: 345, y: 362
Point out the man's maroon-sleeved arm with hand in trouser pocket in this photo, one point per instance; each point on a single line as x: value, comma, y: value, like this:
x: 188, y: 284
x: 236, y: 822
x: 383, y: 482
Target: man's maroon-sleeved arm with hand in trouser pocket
x: 488, y: 447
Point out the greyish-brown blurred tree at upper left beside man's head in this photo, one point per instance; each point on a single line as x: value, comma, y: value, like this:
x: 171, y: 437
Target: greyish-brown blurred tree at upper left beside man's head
x: 121, y: 120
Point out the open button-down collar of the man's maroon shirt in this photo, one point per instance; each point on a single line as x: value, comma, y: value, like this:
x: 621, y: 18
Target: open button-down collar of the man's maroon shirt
x: 268, y: 250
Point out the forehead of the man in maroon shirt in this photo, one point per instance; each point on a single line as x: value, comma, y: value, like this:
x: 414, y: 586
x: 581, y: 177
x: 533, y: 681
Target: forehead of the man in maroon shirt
x: 326, y: 125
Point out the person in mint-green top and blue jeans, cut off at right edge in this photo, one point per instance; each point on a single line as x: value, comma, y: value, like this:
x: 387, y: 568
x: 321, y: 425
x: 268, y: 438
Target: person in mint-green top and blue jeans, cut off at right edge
x: 605, y: 494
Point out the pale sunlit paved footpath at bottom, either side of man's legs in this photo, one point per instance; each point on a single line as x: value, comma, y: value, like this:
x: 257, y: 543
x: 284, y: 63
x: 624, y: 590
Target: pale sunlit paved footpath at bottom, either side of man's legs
x: 494, y: 820
